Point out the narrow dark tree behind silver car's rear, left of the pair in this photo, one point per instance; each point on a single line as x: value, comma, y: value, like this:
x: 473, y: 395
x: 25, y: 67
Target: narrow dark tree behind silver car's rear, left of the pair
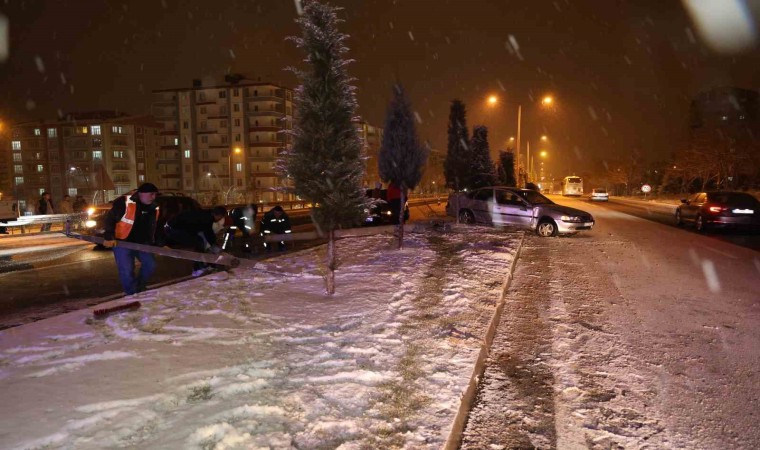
x: 458, y: 150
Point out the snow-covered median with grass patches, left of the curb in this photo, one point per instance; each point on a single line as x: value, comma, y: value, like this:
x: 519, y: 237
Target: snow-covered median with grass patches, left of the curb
x: 262, y: 358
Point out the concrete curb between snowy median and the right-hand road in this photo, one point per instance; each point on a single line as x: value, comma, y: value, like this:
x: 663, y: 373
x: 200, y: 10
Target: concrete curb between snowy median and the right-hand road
x: 454, y: 439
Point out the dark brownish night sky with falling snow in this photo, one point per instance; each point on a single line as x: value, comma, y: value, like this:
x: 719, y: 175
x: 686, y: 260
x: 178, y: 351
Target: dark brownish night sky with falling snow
x: 622, y: 72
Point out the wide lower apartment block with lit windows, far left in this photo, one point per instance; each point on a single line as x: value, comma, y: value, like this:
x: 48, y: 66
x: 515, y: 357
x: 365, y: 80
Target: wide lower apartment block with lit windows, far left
x: 99, y: 155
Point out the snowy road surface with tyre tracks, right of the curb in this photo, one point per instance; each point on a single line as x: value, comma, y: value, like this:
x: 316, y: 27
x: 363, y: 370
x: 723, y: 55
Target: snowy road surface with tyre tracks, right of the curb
x: 634, y: 335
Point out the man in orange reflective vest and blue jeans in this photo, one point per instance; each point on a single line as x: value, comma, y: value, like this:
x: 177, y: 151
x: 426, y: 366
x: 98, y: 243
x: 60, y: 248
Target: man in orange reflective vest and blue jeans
x: 133, y: 219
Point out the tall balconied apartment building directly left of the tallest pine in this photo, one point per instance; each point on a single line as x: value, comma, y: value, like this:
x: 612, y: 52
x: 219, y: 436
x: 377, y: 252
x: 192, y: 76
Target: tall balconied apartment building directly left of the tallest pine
x: 222, y: 141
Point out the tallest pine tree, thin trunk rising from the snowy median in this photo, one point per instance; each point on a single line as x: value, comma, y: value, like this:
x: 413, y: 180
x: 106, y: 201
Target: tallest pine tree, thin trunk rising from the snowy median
x: 325, y: 162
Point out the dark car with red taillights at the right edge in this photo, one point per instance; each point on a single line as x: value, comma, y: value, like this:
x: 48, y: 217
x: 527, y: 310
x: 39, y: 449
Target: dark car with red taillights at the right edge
x: 720, y: 209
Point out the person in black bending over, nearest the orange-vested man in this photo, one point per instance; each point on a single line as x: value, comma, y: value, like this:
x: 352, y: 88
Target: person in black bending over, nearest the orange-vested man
x: 197, y: 229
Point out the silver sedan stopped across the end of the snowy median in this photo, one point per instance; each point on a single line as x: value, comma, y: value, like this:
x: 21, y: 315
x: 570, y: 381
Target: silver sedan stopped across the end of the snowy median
x: 525, y: 208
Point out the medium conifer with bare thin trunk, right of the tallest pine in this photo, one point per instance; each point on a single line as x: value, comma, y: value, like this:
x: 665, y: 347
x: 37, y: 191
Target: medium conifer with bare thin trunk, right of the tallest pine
x: 401, y: 159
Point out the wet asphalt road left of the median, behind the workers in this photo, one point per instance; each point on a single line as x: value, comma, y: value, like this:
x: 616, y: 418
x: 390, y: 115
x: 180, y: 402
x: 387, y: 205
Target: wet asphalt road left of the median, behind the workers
x: 42, y: 275
